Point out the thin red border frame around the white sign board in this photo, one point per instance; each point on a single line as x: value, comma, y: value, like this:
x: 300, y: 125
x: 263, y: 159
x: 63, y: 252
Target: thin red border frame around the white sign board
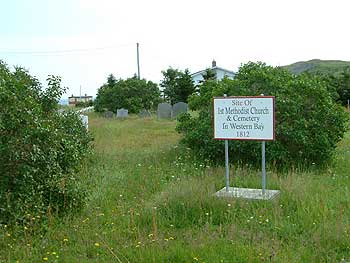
x: 246, y: 97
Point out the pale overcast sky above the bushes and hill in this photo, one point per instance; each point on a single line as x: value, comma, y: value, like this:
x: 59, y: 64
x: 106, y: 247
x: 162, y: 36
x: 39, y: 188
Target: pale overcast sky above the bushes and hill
x: 83, y: 41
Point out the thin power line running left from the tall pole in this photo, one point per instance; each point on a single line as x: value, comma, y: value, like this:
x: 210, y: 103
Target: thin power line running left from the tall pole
x: 61, y: 52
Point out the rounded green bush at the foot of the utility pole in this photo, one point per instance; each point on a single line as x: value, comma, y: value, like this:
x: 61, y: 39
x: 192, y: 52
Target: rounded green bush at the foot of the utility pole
x: 132, y: 94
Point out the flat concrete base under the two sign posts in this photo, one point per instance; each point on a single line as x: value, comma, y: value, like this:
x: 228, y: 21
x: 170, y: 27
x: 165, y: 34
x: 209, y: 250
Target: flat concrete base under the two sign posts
x: 248, y: 193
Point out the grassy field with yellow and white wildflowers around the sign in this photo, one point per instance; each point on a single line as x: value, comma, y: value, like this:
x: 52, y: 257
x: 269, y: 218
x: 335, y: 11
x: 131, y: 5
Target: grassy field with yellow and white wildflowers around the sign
x: 150, y: 201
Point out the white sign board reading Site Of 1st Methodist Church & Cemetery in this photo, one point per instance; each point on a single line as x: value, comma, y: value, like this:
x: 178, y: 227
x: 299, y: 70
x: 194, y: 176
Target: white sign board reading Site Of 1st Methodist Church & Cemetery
x: 244, y: 118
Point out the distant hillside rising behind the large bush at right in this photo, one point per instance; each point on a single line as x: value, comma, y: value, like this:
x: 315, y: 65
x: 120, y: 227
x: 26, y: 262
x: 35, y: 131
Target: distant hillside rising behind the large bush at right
x: 317, y: 65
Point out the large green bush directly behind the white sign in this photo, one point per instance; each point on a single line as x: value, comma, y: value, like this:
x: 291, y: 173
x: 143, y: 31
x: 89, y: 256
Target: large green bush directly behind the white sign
x: 309, y: 124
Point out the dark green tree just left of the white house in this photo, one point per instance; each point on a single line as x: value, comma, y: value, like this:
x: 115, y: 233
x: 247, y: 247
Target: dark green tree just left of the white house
x: 177, y: 84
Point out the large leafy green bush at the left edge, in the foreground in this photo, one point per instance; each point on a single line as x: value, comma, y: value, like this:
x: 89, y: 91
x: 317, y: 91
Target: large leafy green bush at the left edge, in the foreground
x: 41, y: 149
